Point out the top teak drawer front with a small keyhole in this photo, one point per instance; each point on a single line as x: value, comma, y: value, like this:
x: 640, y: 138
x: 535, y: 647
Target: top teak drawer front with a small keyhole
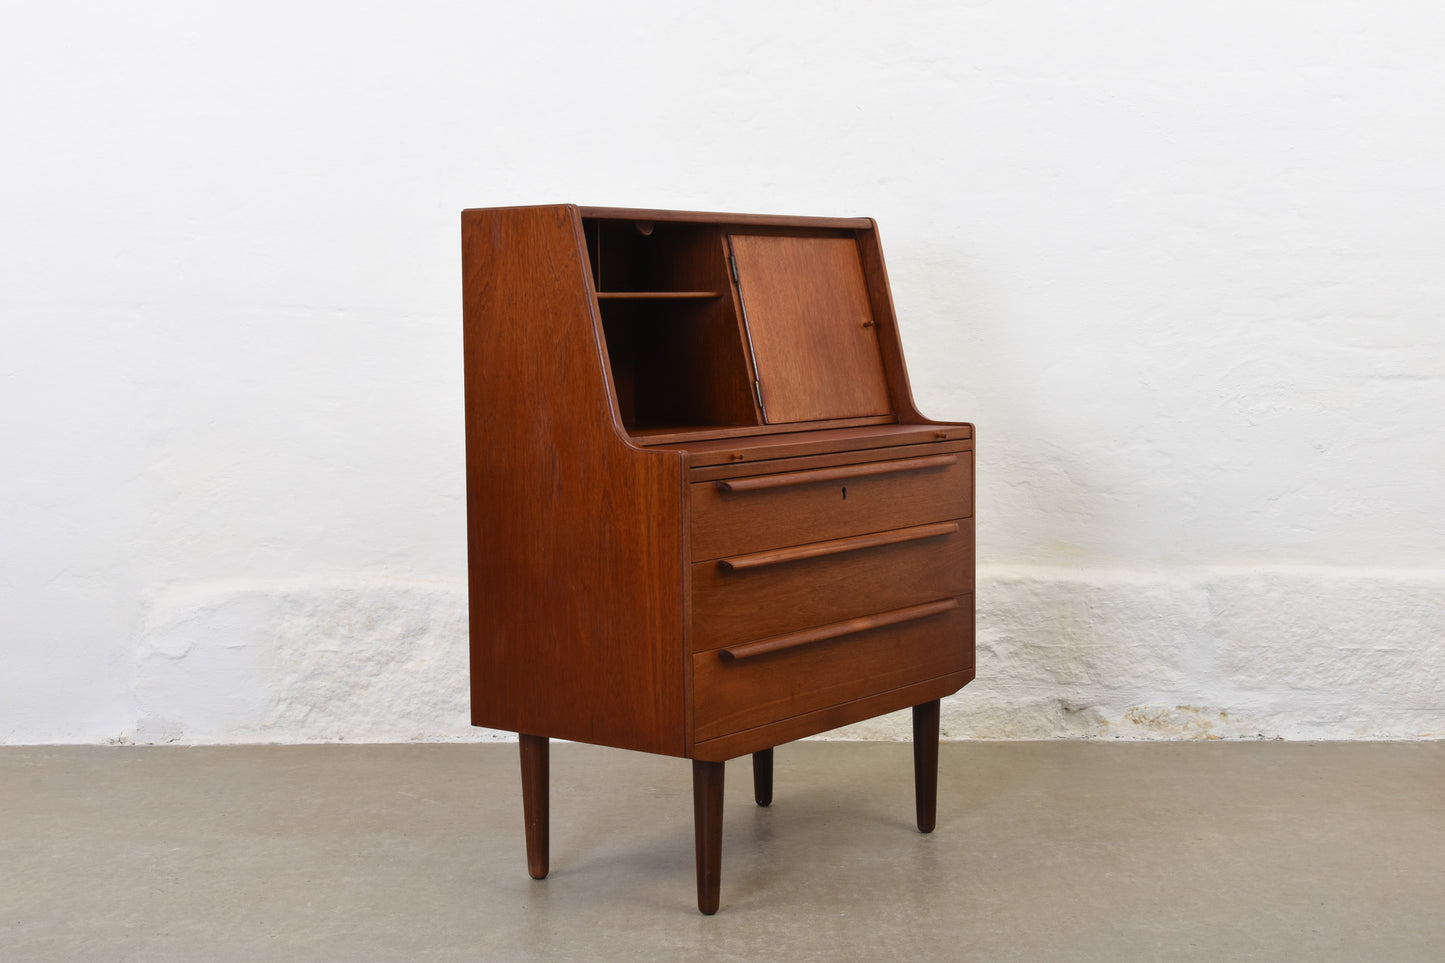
x: 771, y: 511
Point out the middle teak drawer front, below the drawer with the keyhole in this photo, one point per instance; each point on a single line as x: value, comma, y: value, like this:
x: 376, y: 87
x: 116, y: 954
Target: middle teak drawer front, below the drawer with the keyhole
x: 751, y: 598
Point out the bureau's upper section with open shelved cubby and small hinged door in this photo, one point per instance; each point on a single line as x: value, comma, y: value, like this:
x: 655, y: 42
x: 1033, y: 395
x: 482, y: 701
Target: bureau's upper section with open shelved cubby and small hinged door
x: 741, y: 326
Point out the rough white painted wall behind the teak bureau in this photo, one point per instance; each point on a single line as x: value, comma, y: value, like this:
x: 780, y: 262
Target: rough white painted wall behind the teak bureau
x: 1181, y: 264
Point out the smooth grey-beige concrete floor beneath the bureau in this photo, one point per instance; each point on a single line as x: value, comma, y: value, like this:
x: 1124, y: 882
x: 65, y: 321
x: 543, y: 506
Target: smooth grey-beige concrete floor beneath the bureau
x: 1043, y: 852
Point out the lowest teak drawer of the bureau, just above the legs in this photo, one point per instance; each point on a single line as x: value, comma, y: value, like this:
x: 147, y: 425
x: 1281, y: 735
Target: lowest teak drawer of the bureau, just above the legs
x: 751, y: 690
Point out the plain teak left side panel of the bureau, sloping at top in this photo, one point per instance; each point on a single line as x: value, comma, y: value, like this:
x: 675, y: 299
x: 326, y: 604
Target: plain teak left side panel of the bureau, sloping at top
x: 574, y: 537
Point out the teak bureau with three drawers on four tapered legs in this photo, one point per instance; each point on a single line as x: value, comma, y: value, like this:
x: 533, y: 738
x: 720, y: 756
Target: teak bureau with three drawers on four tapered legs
x: 704, y: 515
